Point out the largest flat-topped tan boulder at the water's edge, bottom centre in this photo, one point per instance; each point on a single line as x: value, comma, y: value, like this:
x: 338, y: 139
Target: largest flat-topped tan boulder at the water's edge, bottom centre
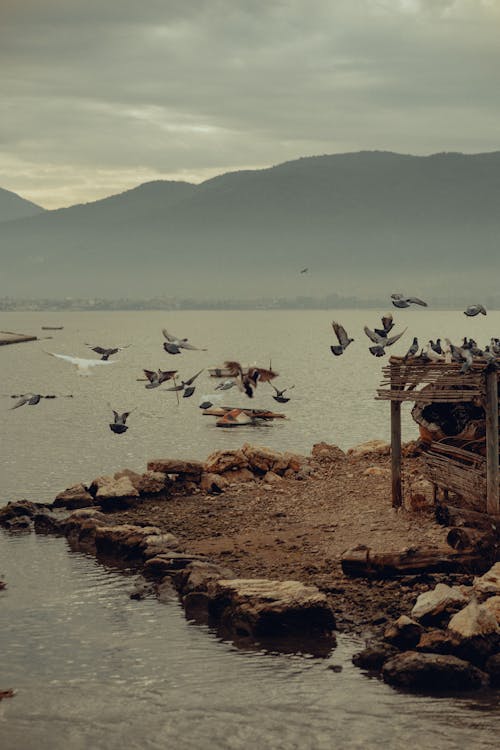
x: 262, y: 607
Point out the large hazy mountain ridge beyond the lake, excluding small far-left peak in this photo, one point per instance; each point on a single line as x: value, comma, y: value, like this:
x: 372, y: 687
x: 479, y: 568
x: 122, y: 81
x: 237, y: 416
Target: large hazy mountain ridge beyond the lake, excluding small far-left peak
x: 364, y: 223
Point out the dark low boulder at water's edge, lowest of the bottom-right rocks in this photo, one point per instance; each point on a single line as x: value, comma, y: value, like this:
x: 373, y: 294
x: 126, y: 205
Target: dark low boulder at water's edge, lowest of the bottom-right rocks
x: 432, y: 672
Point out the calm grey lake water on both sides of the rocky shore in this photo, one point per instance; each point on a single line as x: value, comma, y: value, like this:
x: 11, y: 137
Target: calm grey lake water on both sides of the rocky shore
x: 94, y: 669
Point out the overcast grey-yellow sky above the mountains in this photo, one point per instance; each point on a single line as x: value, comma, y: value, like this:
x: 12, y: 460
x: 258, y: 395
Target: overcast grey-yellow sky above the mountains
x: 98, y: 96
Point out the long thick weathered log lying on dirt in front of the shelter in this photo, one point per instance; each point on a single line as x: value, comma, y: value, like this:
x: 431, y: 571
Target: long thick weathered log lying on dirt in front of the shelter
x: 364, y: 562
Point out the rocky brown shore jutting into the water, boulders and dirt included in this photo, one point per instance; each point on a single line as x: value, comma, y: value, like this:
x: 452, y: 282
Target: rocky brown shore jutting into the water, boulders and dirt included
x: 253, y: 541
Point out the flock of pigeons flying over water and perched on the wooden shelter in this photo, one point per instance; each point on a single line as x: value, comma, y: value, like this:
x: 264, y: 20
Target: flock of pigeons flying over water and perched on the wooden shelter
x: 247, y: 379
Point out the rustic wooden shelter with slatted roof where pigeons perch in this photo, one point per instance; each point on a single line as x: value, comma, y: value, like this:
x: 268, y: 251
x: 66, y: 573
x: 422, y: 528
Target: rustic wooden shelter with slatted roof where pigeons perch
x: 467, y: 467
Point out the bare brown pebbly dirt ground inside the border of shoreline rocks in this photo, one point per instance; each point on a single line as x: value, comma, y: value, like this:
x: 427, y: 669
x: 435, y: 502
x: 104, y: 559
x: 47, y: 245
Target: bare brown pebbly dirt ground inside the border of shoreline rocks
x: 299, y: 529
